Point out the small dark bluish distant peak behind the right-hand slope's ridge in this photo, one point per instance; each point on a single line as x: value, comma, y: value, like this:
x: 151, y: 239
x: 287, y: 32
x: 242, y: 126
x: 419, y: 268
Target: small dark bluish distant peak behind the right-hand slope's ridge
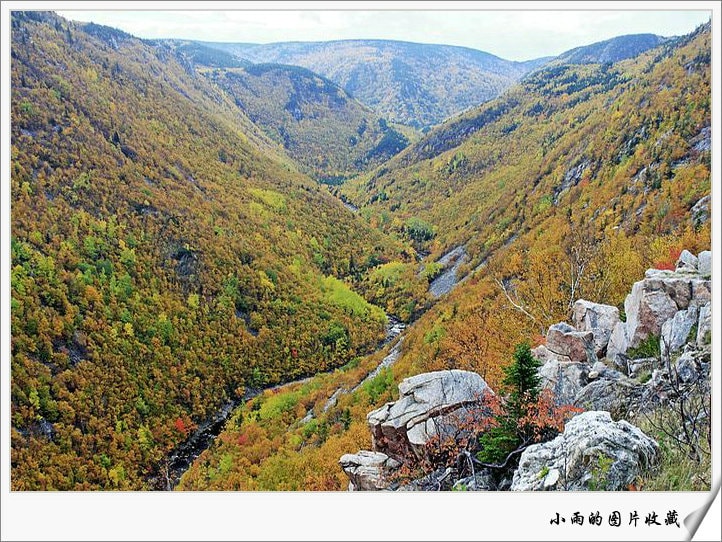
x: 611, y: 50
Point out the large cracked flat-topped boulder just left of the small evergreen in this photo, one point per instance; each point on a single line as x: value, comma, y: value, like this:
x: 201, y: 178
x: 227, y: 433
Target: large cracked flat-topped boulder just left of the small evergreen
x: 429, y: 405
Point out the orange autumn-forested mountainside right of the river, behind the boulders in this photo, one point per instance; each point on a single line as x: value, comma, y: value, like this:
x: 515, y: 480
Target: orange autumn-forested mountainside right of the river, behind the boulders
x: 570, y: 186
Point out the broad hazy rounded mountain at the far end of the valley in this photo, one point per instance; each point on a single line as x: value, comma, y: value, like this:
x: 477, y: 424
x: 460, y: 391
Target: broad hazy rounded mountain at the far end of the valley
x: 409, y: 83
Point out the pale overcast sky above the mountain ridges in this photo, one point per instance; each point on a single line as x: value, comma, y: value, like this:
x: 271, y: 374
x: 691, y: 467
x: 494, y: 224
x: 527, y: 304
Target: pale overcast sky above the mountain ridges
x: 514, y: 35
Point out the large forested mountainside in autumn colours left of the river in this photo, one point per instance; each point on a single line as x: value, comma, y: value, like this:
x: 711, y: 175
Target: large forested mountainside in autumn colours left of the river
x: 167, y: 257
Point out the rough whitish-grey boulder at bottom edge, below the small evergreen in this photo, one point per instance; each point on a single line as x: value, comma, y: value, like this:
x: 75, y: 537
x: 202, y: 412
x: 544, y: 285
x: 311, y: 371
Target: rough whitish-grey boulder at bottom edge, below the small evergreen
x: 594, y: 452
